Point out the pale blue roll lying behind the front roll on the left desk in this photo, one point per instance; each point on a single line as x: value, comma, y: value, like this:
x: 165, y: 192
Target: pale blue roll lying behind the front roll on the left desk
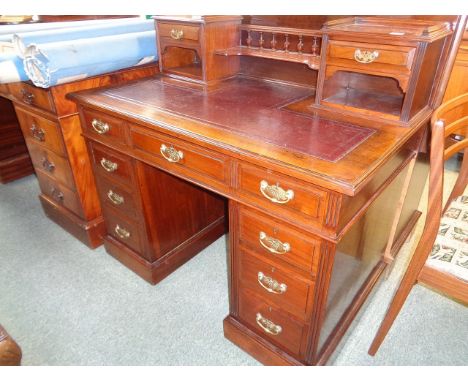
x: 131, y: 25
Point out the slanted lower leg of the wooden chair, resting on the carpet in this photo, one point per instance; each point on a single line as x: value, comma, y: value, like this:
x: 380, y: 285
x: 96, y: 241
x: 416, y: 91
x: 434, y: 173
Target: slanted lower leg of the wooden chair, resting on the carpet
x: 406, y: 284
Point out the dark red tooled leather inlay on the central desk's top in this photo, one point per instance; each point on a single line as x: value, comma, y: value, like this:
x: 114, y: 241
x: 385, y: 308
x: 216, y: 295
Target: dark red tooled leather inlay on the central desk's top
x: 253, y: 109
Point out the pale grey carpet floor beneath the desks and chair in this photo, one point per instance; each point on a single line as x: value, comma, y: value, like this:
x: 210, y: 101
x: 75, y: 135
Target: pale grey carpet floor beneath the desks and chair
x: 68, y: 305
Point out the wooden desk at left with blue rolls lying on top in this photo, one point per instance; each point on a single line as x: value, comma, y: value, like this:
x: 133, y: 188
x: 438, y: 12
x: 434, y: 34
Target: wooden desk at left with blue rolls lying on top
x: 52, y: 134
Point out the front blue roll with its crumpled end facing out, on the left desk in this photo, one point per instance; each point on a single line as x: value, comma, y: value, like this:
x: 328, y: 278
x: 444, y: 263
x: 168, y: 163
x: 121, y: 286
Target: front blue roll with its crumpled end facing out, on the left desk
x: 66, y: 61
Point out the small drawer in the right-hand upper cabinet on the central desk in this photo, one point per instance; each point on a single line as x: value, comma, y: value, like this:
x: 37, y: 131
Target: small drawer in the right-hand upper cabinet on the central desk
x: 369, y: 56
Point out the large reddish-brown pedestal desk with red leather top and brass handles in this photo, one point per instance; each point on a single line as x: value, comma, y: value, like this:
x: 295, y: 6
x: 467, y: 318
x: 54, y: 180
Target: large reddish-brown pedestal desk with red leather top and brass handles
x: 316, y: 195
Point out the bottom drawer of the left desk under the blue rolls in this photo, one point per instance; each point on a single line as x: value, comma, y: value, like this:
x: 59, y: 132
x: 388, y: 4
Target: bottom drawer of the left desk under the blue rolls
x: 59, y: 193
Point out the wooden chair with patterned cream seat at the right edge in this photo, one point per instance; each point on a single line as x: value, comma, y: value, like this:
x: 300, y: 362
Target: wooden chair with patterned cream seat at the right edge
x: 441, y: 257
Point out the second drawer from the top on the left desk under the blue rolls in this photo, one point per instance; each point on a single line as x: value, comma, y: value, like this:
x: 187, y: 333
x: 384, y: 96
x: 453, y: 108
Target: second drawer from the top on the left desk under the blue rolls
x: 42, y: 131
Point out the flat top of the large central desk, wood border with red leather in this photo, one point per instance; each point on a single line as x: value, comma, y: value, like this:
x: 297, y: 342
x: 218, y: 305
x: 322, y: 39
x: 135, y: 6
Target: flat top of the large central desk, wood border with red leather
x: 250, y: 116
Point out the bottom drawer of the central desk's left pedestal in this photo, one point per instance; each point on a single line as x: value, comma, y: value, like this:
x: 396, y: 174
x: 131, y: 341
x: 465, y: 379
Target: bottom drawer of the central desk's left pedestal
x: 123, y: 229
